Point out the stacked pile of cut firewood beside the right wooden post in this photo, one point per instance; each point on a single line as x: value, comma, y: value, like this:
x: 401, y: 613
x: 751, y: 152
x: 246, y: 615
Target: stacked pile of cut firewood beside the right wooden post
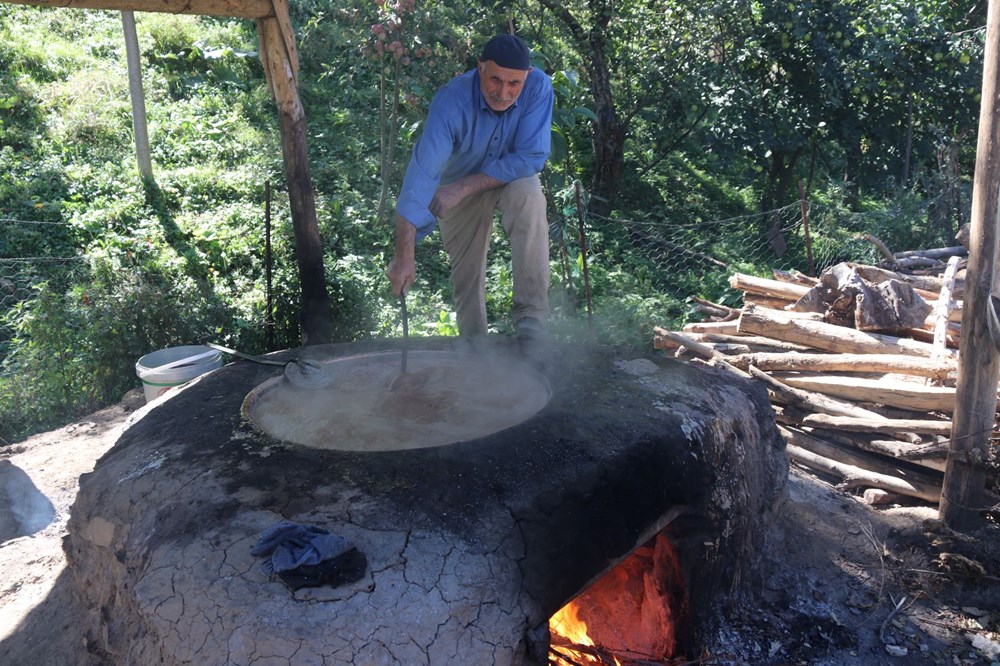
x: 860, y: 365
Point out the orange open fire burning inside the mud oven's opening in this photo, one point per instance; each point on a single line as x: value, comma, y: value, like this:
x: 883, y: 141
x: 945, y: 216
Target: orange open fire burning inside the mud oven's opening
x: 631, y: 614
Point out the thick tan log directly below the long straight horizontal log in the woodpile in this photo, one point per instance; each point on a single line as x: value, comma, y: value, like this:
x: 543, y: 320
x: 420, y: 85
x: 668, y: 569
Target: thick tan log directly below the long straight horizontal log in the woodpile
x: 906, y: 395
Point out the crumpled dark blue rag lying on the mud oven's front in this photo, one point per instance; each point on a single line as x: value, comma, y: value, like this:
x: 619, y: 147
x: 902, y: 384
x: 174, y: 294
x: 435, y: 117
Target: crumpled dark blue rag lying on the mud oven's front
x: 292, y: 545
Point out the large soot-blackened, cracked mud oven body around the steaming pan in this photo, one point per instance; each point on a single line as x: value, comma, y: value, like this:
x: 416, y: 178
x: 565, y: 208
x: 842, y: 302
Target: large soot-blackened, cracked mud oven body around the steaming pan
x: 470, y: 547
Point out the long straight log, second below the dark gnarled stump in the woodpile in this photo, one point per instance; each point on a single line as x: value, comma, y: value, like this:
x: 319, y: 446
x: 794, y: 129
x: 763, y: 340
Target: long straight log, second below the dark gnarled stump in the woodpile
x: 862, y: 363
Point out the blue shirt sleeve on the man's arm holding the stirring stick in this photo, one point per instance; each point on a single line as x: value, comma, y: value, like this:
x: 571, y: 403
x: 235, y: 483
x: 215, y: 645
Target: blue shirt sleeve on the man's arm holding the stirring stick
x: 423, y: 174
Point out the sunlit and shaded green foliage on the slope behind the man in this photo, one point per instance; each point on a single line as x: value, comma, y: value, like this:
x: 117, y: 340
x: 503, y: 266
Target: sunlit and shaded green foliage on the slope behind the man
x: 724, y: 108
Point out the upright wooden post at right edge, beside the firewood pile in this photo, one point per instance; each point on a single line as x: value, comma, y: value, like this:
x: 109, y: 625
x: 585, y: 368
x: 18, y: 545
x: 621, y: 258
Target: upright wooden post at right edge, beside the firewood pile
x: 976, y: 400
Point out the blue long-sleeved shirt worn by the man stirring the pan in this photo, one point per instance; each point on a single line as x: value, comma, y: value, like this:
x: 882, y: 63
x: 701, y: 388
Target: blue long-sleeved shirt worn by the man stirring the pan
x: 463, y: 136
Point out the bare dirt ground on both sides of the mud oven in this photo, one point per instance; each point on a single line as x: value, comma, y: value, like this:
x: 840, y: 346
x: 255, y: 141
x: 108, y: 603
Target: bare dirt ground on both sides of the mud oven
x: 845, y: 583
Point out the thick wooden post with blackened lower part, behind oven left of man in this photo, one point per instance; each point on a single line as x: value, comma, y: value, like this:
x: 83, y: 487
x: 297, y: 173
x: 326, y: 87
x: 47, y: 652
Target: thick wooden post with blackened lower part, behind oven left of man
x: 280, y: 59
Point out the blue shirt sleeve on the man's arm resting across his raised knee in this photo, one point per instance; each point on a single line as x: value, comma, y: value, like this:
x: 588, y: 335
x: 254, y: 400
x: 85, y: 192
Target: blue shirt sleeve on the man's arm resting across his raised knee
x: 531, y: 142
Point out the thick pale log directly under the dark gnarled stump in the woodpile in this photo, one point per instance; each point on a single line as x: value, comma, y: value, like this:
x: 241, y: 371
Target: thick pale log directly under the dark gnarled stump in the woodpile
x: 827, y: 337
